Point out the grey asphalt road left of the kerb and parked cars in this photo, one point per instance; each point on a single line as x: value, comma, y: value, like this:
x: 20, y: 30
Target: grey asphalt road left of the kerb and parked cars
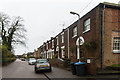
x: 20, y: 69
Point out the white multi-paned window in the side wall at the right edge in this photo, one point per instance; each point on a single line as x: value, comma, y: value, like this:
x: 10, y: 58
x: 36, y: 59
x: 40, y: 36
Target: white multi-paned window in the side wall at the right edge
x: 116, y: 45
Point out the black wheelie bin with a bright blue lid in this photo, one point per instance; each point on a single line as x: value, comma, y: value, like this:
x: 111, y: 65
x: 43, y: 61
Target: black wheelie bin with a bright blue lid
x: 80, y: 68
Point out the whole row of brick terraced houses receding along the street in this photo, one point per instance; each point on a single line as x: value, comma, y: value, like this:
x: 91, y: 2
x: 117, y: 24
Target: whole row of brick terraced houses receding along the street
x: 100, y: 31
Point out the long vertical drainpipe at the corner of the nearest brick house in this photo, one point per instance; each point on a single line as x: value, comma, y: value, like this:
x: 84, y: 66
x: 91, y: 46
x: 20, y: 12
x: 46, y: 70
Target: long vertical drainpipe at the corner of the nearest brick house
x: 102, y: 44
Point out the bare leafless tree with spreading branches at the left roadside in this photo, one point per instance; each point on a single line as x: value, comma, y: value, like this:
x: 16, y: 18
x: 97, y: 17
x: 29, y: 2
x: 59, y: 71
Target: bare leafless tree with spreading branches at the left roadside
x: 12, y: 31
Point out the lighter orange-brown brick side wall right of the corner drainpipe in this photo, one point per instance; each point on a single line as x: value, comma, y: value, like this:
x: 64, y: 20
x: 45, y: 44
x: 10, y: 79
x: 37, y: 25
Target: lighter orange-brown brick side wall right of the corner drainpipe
x: 111, y: 27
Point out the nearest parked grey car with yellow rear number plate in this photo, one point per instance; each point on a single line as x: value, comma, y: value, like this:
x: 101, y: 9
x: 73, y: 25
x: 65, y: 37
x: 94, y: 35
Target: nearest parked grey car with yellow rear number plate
x: 42, y: 64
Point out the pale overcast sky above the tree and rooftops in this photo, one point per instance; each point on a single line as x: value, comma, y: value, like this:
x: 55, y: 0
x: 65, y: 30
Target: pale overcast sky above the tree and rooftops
x: 45, y: 18
